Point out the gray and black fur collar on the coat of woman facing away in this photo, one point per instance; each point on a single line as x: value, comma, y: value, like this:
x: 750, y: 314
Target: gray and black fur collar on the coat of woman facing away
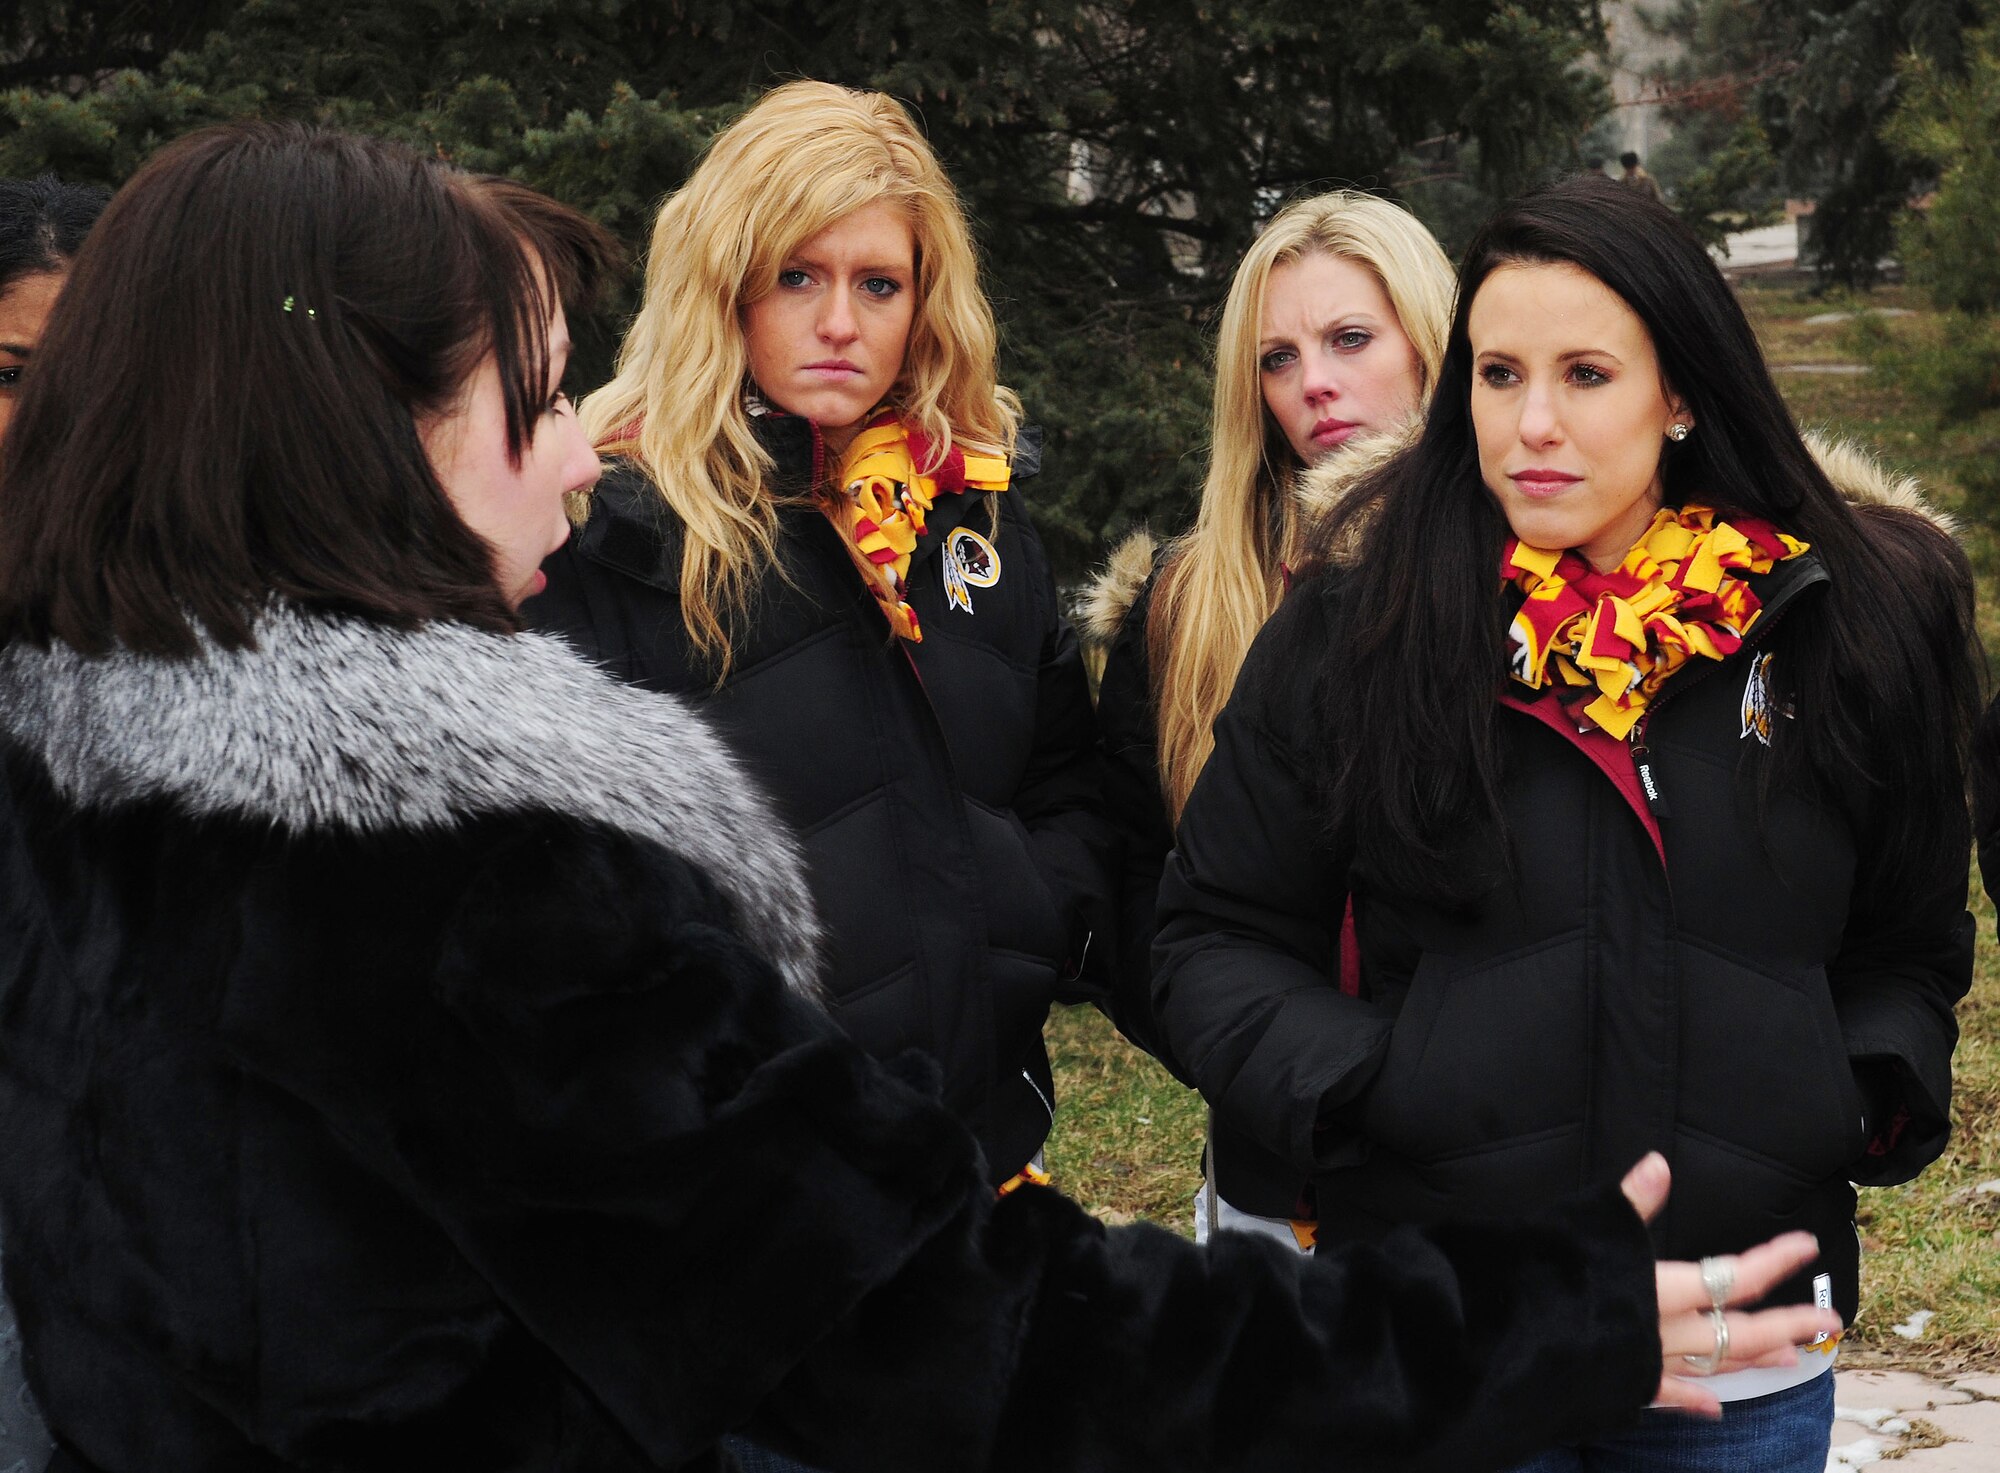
x: 339, y: 723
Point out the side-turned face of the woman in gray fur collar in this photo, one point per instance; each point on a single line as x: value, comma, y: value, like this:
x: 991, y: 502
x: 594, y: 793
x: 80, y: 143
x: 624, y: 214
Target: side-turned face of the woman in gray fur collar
x: 515, y: 507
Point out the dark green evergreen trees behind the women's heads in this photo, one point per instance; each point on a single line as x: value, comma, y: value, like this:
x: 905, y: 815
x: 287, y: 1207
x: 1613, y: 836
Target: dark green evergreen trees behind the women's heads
x: 1115, y: 157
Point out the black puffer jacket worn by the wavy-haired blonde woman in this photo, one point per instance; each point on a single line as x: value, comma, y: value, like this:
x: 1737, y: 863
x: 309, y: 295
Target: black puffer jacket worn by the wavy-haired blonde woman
x: 947, y: 794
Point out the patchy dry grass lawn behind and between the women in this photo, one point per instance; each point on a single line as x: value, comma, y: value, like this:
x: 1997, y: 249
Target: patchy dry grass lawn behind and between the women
x: 1129, y: 1138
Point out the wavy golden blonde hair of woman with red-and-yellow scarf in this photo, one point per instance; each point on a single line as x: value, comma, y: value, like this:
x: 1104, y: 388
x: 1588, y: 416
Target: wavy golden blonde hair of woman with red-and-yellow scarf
x: 805, y: 157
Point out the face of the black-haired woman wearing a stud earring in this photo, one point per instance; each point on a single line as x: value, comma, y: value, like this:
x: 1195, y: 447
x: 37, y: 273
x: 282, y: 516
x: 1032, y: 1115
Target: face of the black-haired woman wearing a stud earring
x: 1569, y: 409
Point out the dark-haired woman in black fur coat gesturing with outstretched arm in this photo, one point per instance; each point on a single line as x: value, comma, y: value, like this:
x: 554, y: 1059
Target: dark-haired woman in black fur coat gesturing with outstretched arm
x: 411, y: 1046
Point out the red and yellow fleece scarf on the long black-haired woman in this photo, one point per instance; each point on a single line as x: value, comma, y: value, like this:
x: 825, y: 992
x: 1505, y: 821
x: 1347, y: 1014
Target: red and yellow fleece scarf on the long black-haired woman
x: 1609, y: 641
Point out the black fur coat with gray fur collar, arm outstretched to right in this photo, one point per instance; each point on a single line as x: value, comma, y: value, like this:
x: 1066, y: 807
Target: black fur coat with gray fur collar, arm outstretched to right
x: 409, y: 1062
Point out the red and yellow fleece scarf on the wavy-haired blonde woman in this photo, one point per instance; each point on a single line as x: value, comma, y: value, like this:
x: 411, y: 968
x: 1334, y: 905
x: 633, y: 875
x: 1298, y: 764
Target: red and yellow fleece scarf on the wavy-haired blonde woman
x: 881, y: 499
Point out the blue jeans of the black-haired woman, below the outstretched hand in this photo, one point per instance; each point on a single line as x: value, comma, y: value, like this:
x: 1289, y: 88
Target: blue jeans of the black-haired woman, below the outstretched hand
x: 1785, y: 1432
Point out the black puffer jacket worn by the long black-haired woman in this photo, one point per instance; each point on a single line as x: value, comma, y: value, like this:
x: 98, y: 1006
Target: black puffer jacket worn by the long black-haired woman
x: 1611, y: 996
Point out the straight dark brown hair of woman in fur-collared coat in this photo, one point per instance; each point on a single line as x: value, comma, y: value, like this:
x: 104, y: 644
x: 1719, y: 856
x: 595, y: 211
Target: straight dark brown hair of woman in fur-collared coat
x: 235, y: 383
